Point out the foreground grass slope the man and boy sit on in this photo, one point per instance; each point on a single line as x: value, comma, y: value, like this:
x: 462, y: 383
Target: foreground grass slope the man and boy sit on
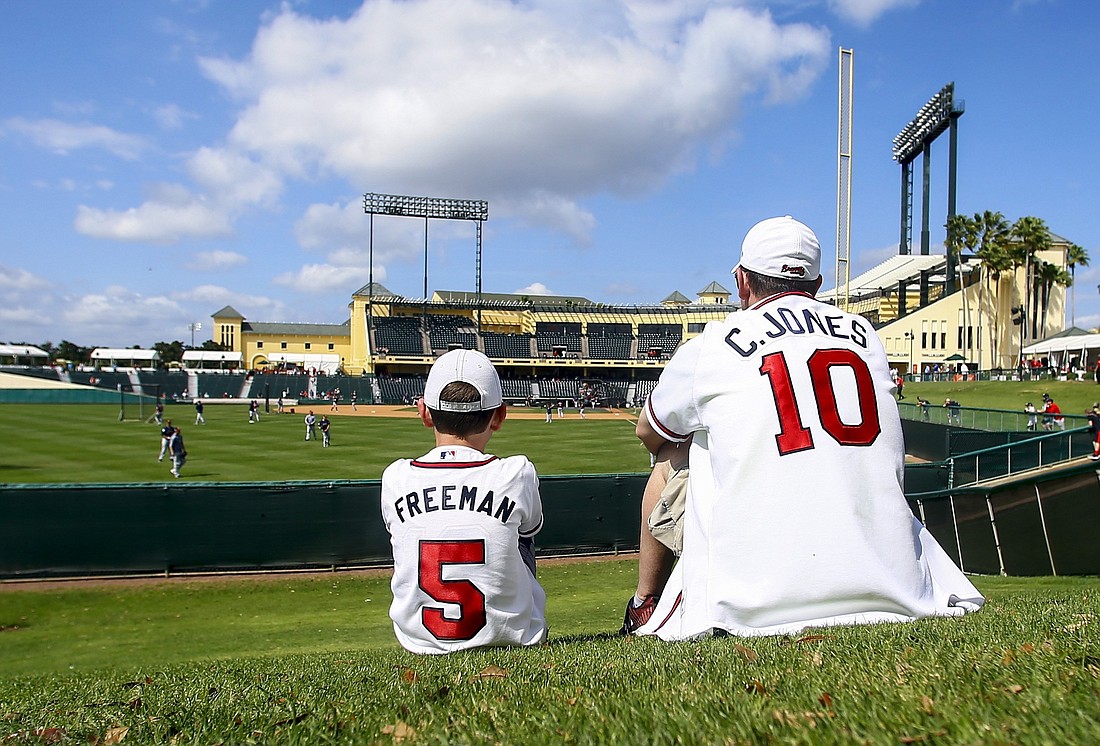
x: 310, y: 661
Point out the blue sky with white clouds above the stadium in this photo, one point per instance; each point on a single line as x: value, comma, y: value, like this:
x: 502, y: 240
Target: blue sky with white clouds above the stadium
x: 162, y: 160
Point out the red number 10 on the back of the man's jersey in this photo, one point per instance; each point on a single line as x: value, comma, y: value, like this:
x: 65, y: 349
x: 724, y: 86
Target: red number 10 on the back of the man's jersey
x: 794, y: 436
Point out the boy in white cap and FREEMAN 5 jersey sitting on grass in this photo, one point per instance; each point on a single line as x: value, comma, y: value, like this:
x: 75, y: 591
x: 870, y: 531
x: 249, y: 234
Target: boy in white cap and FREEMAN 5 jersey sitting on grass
x: 463, y: 523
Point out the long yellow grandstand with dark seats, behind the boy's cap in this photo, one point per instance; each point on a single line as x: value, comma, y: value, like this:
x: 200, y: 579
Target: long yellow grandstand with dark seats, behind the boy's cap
x: 558, y: 348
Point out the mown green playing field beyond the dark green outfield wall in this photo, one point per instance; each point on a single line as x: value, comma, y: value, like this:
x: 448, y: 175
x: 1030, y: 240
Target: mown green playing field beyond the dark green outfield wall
x: 86, y: 444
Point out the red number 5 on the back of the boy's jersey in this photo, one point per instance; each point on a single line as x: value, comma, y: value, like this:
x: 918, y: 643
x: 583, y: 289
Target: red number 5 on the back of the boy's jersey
x: 468, y: 597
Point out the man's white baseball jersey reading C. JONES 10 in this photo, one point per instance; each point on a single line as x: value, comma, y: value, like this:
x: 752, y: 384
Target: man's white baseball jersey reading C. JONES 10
x: 796, y: 512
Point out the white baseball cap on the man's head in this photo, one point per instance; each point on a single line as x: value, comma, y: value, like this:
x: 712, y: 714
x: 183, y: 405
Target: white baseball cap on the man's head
x: 782, y: 248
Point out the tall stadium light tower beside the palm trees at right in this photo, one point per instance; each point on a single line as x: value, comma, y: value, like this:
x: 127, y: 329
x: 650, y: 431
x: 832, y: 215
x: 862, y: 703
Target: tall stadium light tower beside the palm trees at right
x: 941, y: 113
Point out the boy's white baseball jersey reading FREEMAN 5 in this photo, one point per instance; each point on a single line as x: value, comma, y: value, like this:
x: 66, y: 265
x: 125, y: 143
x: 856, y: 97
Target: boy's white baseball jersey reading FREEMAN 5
x: 455, y: 519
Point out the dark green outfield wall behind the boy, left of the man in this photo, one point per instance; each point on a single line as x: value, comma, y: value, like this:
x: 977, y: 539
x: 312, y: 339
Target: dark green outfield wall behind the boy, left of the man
x: 75, y: 530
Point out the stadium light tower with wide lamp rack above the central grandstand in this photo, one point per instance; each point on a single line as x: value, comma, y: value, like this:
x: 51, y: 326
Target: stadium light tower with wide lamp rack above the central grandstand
x: 427, y: 209
